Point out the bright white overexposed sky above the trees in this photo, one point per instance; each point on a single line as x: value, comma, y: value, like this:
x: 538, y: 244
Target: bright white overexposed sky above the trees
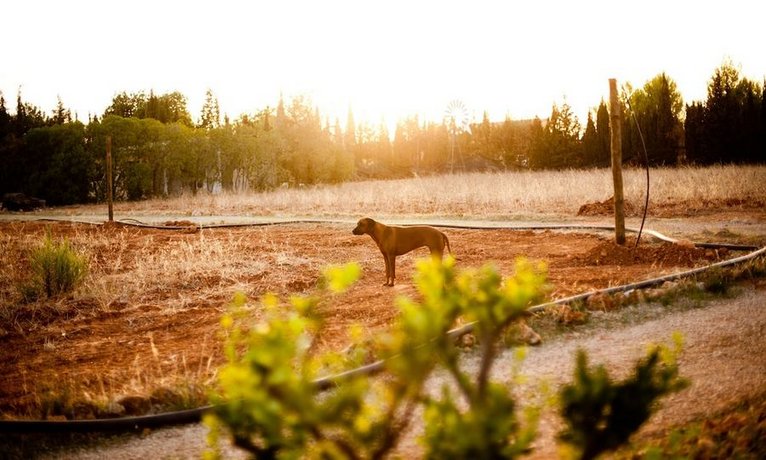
x: 384, y: 59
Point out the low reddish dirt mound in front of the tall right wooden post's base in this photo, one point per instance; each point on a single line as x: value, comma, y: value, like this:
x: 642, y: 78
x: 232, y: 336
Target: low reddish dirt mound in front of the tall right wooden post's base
x: 663, y: 254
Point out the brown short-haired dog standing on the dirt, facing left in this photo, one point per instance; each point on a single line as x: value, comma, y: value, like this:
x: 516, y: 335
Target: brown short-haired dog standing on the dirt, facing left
x: 396, y: 241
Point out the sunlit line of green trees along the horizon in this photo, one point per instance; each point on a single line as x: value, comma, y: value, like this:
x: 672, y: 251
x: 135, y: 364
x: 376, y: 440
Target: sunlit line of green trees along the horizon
x: 159, y: 150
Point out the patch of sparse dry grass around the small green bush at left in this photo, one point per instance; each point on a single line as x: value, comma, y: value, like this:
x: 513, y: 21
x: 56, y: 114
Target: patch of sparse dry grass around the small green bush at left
x: 127, y: 268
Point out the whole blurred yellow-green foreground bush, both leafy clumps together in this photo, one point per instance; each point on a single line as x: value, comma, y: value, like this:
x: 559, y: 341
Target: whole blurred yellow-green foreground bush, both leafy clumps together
x: 267, y: 395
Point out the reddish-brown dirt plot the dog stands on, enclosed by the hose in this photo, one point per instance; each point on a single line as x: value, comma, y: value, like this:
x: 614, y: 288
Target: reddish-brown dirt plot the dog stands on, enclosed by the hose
x: 109, y: 346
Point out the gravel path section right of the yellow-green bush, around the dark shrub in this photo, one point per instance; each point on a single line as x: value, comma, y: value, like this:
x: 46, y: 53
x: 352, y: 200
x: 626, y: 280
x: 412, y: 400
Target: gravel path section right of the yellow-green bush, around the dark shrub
x: 724, y: 357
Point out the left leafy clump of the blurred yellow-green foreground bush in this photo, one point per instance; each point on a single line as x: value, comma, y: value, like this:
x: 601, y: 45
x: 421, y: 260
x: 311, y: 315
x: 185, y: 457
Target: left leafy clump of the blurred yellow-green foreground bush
x: 267, y: 393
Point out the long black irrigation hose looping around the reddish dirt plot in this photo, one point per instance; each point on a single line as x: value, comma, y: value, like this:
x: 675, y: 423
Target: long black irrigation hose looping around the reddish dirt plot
x: 139, y: 423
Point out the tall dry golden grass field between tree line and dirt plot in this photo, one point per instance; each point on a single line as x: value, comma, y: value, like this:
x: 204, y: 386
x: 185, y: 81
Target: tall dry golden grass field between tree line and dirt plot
x: 481, y: 195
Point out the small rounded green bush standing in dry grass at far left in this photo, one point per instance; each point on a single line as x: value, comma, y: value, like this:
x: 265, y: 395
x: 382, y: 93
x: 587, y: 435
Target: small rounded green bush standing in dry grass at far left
x: 56, y: 269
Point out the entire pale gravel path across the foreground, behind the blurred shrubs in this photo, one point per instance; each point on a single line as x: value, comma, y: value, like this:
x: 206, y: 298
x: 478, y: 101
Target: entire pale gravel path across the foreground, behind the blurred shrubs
x: 724, y: 357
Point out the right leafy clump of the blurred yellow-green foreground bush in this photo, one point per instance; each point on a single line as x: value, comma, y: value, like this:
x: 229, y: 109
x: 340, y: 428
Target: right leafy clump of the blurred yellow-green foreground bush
x: 479, y: 419
